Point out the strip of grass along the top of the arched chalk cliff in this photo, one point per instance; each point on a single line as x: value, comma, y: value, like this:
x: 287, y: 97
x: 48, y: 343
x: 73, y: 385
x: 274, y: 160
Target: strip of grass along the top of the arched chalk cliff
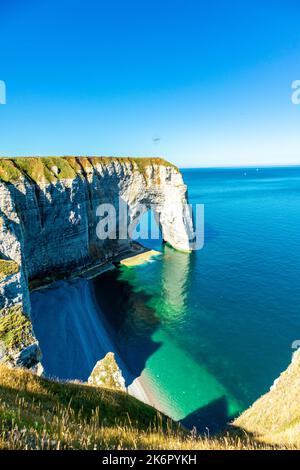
x: 51, y: 169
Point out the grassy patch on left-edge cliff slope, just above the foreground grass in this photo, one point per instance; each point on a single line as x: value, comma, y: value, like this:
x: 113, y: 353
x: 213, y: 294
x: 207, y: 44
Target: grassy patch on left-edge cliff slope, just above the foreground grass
x: 15, y: 330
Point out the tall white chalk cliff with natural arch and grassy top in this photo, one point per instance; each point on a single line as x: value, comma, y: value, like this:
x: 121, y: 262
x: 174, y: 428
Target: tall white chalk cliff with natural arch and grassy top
x: 48, y: 213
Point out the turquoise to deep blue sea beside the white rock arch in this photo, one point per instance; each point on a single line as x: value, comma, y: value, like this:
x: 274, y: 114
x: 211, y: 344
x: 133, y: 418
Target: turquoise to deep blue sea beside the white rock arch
x: 209, y: 331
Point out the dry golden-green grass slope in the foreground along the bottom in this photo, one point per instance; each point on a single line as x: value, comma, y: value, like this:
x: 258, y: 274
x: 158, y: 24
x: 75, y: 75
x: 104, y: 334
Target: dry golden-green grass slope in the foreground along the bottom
x: 36, y: 413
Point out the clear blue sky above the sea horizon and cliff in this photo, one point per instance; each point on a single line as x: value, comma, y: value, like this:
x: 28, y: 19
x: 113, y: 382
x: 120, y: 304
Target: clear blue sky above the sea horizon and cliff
x: 201, y: 83
